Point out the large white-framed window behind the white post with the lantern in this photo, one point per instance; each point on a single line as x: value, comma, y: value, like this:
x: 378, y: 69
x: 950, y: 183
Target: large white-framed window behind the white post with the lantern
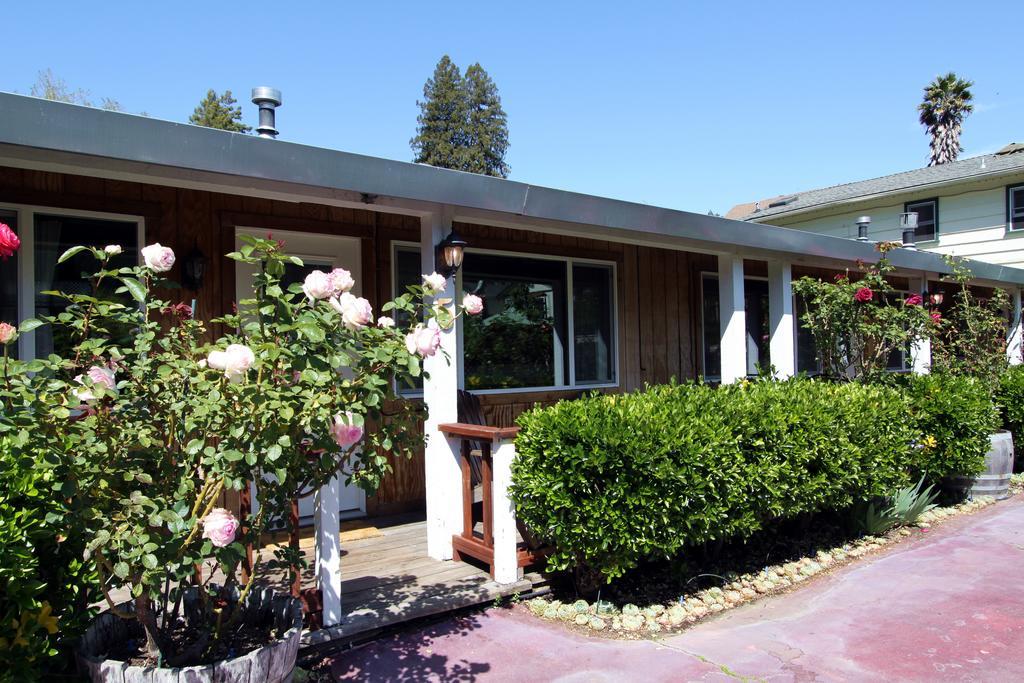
x: 546, y: 323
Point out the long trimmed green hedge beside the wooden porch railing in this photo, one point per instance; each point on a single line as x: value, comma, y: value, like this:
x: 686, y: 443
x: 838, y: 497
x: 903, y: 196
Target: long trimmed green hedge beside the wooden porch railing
x: 612, y: 481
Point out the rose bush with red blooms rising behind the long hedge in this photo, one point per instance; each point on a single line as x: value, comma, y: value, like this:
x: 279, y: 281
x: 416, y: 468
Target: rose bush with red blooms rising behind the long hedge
x: 860, y: 322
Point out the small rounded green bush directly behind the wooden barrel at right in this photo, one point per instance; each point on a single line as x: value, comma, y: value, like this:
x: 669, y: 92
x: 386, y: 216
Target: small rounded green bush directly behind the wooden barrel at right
x: 956, y: 416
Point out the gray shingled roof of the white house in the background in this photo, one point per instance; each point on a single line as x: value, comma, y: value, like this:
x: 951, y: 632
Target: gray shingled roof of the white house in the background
x: 1009, y: 159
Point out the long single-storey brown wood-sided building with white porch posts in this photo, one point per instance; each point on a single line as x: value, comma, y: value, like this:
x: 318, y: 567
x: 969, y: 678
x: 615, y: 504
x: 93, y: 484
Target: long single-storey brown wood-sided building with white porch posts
x: 581, y: 292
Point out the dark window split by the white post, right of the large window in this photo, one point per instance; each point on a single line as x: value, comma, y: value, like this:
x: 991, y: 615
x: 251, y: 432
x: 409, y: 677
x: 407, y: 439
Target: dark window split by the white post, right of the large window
x: 758, y: 326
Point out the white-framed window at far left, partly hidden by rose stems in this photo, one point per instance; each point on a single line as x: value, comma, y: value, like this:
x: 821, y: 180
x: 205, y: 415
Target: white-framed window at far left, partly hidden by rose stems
x: 46, y: 235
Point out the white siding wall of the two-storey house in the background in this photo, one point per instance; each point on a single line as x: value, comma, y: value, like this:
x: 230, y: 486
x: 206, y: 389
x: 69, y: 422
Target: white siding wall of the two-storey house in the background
x: 972, y: 224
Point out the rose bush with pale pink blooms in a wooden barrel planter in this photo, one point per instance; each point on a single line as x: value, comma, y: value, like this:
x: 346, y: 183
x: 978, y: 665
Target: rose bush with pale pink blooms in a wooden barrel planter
x: 145, y: 428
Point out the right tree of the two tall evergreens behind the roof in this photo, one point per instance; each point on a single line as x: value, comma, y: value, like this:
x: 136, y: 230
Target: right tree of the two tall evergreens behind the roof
x: 488, y: 132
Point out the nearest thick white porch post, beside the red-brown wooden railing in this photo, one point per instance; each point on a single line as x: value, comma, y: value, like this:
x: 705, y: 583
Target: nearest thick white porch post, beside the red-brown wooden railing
x: 444, y: 475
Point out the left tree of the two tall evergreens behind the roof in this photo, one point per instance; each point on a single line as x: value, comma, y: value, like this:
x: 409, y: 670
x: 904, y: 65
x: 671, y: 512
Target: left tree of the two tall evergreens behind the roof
x: 441, y: 135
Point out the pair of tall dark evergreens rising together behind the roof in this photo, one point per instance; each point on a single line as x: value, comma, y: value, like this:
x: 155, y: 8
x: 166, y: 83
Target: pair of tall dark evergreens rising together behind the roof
x: 461, y: 124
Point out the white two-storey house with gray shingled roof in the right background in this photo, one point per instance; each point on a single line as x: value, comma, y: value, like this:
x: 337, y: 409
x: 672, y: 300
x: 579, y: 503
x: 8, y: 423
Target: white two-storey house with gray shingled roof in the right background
x: 972, y: 207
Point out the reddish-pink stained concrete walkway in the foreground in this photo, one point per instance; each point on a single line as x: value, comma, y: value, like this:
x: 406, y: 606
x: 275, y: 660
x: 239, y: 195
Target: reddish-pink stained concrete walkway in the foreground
x: 944, y: 606
